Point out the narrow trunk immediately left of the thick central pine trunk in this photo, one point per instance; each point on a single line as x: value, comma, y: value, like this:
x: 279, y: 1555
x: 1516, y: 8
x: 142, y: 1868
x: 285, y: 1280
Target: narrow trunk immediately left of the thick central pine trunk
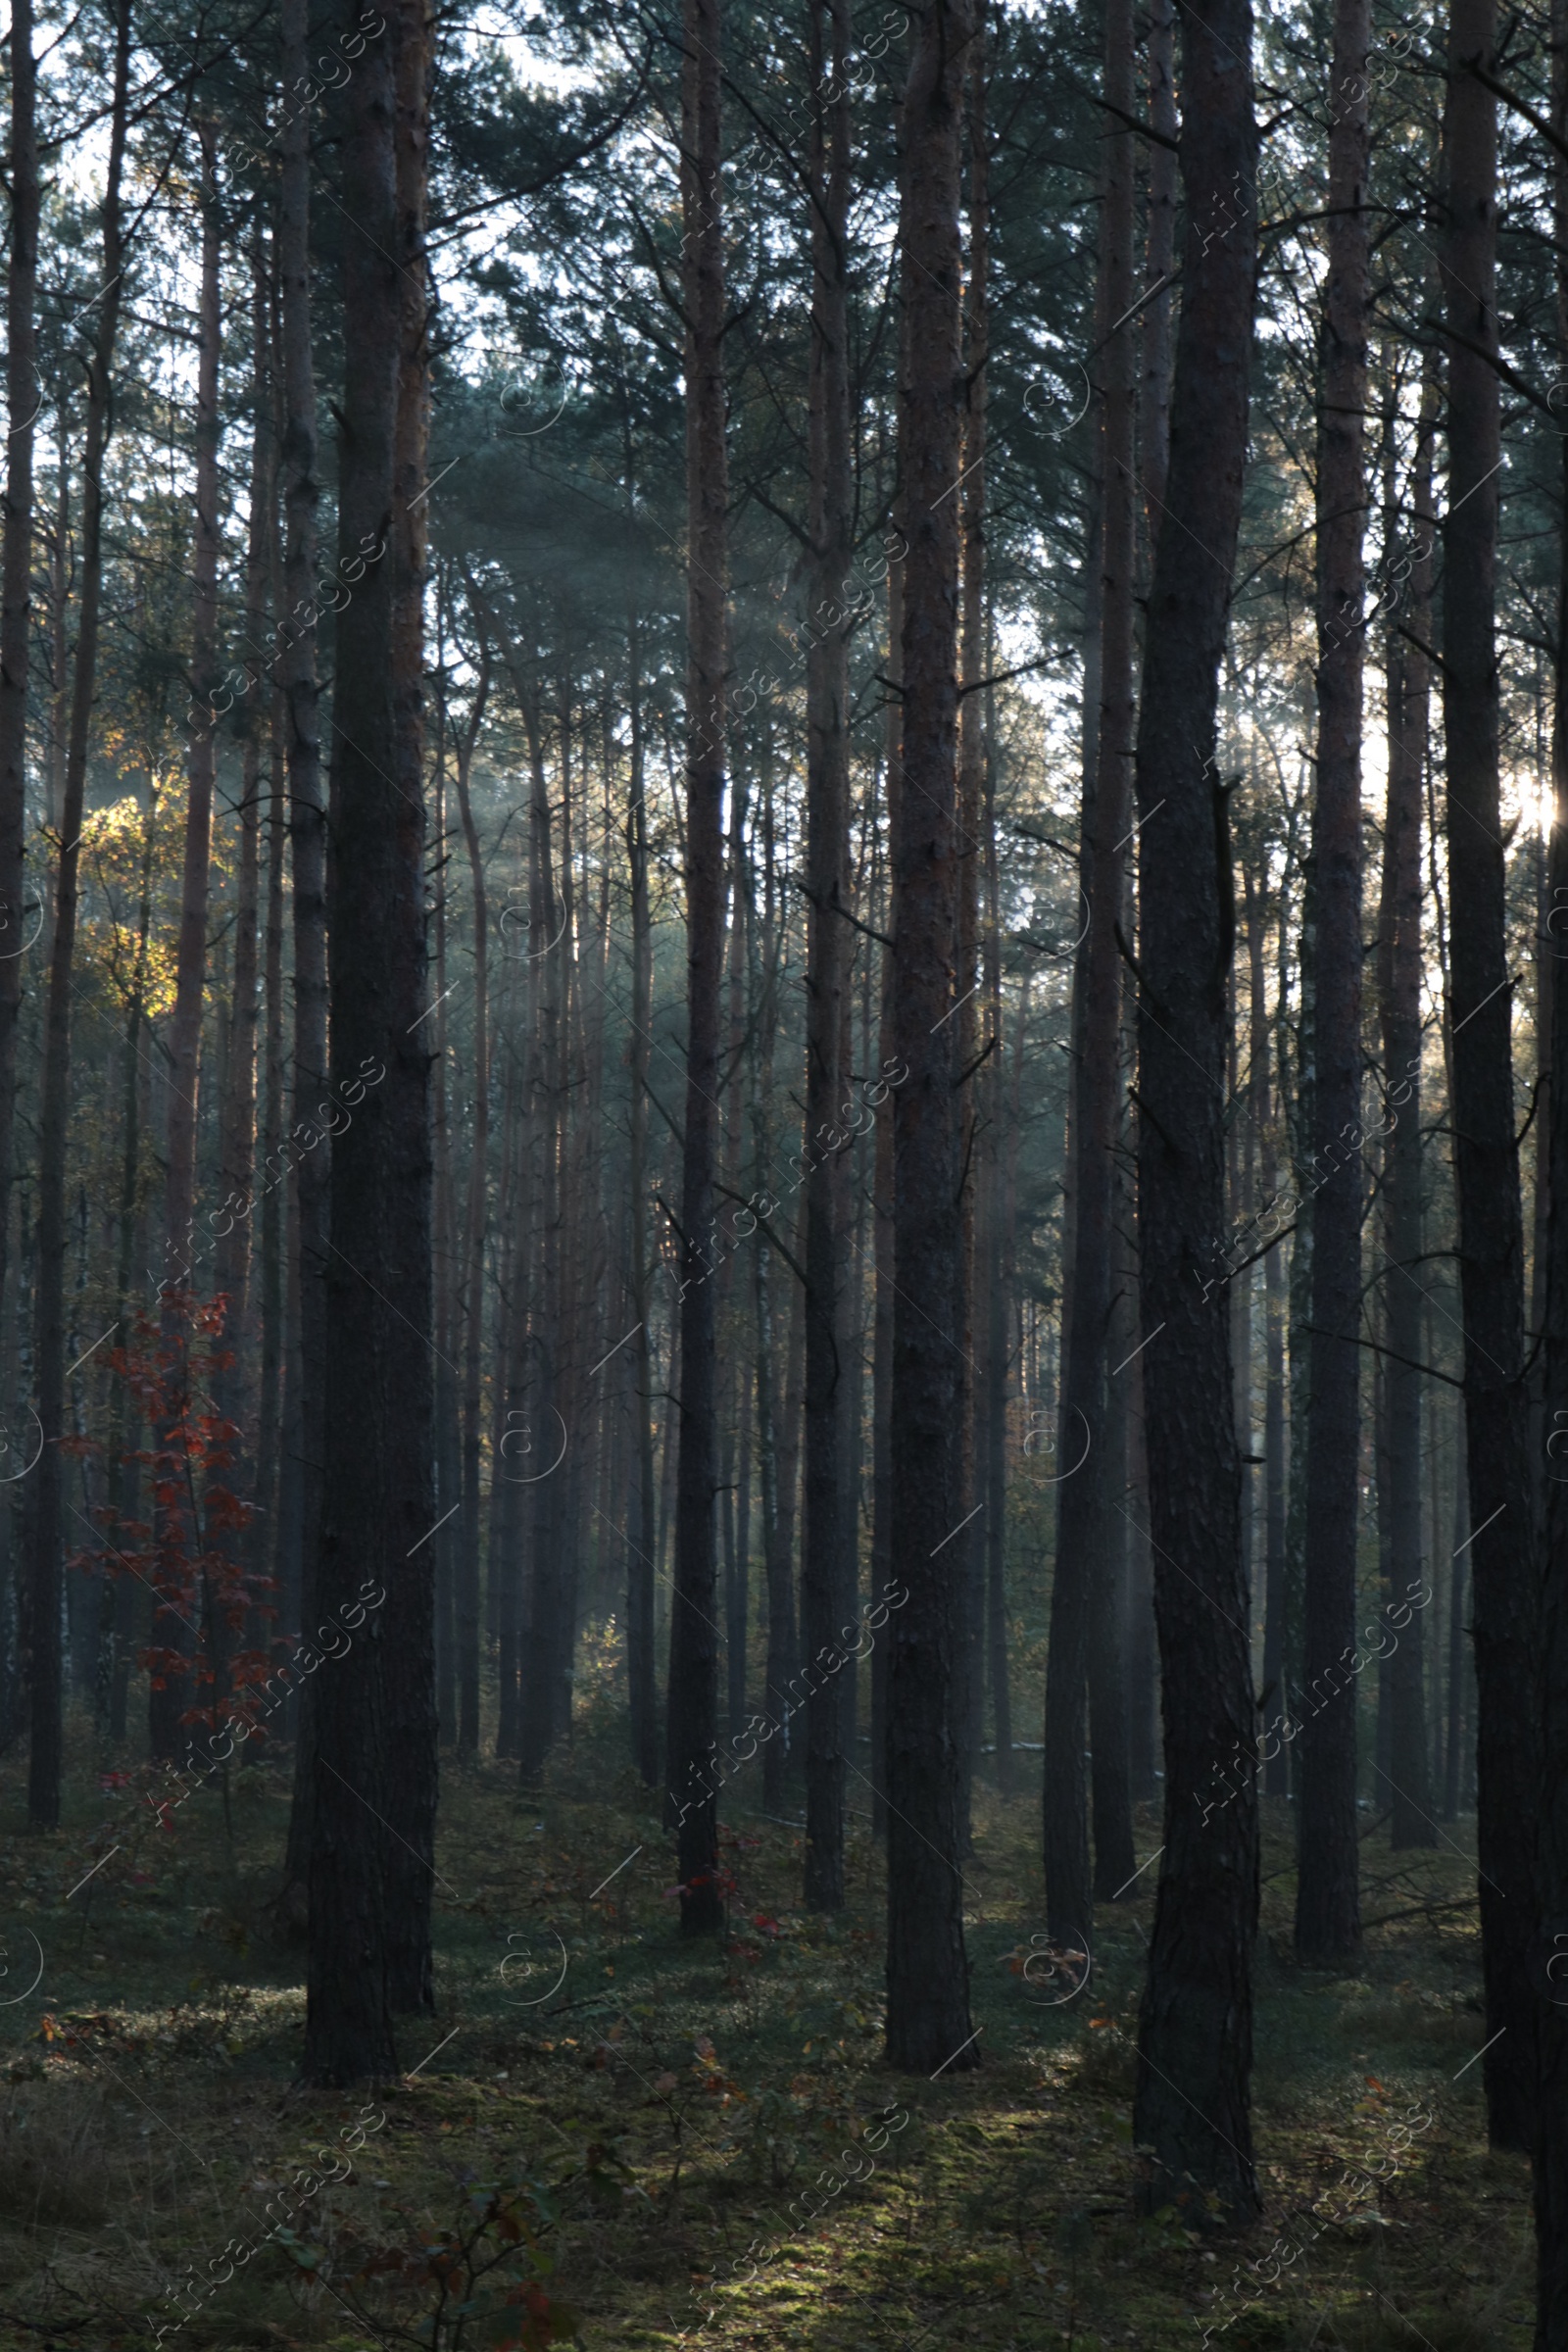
x: 824, y: 1570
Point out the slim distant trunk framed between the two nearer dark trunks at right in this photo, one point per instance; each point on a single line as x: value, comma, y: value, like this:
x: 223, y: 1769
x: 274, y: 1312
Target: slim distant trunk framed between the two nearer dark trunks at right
x: 1400, y: 973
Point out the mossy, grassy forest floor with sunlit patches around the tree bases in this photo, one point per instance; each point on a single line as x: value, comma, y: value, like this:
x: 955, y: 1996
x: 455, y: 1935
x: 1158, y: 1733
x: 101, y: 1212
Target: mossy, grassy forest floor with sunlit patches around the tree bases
x: 652, y: 2141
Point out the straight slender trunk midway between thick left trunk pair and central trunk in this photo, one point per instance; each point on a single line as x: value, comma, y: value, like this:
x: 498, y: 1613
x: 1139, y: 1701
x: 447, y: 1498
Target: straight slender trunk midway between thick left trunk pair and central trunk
x: 692, y: 1638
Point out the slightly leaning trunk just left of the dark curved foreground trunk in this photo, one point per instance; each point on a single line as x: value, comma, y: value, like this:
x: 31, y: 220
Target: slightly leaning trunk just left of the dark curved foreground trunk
x: 1085, y: 1499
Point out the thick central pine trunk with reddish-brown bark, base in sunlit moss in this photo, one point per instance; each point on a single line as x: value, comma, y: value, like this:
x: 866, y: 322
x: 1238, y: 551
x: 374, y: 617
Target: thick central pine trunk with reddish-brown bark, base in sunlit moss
x: 927, y: 1970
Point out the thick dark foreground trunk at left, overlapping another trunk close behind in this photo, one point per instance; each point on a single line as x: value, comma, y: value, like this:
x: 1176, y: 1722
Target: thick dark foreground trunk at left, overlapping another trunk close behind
x: 377, y: 1396
